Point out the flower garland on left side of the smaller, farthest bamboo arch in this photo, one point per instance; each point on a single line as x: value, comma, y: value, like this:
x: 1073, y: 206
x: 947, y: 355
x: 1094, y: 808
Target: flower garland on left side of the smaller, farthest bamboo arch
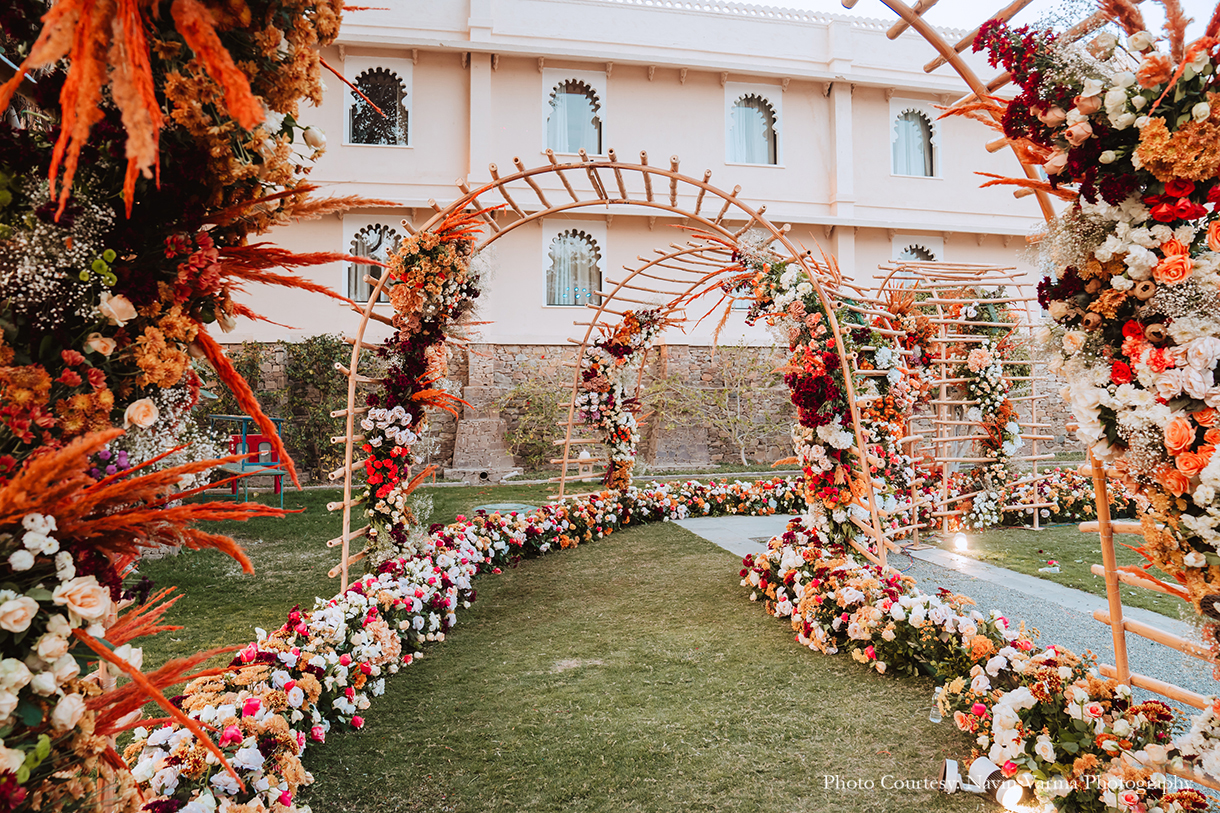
x: 602, y: 400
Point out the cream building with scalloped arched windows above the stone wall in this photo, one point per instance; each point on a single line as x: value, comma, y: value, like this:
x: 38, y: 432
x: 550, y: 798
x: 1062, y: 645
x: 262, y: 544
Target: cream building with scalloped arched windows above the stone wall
x: 819, y: 117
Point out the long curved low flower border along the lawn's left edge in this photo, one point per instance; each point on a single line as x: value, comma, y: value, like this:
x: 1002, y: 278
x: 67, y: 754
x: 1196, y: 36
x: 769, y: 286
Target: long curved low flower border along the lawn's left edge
x: 324, y: 666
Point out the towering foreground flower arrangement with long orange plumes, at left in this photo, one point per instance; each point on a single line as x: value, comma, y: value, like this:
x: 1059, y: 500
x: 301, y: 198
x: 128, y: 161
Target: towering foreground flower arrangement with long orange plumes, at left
x: 156, y: 143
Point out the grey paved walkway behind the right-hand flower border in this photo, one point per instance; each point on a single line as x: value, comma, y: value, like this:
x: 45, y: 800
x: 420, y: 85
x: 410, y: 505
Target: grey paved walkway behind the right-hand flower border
x: 1062, y: 615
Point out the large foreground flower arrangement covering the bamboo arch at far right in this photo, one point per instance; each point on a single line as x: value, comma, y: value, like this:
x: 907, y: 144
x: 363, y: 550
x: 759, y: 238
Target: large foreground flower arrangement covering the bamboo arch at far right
x: 1127, y: 132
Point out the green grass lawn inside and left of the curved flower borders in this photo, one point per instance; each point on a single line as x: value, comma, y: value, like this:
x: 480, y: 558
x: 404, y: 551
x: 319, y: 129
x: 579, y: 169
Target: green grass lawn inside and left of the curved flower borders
x: 629, y: 674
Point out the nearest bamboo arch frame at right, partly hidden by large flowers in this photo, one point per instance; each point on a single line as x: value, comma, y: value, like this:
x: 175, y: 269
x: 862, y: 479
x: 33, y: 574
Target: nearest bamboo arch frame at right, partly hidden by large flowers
x: 950, y: 54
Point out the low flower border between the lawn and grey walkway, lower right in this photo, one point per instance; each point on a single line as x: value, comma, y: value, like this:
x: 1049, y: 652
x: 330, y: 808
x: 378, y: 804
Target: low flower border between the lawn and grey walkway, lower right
x: 1044, y: 716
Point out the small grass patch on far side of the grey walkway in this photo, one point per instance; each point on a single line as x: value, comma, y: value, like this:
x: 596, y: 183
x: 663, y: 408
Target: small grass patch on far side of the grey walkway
x: 1025, y: 551
